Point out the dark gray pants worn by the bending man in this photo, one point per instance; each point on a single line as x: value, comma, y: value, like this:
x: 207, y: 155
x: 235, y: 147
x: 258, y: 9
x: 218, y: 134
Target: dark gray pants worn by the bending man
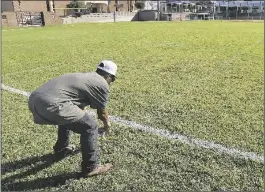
x: 88, y: 129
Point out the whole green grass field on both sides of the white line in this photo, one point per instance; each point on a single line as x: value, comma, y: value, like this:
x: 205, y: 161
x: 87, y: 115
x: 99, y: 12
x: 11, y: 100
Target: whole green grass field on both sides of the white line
x: 199, y: 79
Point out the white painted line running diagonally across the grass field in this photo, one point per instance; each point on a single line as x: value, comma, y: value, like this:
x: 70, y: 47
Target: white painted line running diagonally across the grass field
x: 166, y: 134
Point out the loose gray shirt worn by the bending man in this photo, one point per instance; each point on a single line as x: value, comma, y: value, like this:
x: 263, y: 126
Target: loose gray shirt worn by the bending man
x: 61, y: 100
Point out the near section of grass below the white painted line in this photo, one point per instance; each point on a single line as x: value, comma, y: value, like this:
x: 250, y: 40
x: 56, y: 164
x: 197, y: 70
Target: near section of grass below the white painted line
x: 143, y: 162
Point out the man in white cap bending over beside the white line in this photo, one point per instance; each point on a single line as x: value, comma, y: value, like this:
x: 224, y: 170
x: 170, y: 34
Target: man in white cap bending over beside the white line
x: 61, y: 101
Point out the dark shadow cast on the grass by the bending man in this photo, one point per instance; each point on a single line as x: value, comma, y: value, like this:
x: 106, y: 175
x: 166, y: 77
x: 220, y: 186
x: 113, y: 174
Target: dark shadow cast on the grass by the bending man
x: 37, y: 164
